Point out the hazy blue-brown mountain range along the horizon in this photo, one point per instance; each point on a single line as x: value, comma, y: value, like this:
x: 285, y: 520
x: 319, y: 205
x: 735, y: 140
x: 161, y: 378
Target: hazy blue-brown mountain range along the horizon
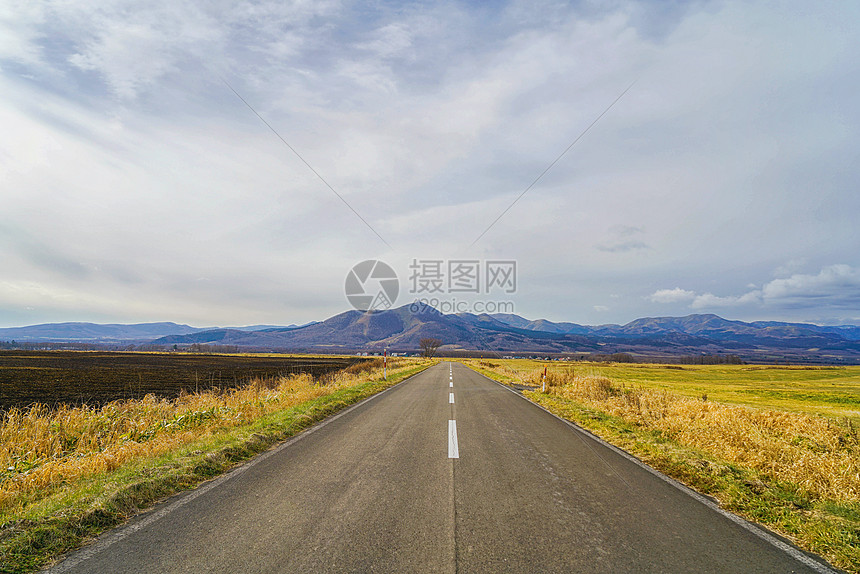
x: 401, y: 329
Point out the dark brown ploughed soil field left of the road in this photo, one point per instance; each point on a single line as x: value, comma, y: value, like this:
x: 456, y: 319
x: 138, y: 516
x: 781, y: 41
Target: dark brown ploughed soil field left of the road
x: 85, y: 377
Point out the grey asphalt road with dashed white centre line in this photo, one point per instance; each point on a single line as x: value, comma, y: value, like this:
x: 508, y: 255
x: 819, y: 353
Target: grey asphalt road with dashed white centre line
x: 393, y: 486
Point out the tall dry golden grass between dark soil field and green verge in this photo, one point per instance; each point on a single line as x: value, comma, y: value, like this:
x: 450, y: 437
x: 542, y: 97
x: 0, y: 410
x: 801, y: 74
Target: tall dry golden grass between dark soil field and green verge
x: 42, y: 448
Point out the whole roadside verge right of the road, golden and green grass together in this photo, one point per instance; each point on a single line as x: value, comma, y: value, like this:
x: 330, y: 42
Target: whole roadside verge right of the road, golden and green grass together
x: 794, y: 473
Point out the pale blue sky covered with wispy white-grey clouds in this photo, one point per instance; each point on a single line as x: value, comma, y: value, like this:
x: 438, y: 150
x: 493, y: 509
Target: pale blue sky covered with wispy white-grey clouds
x: 136, y: 186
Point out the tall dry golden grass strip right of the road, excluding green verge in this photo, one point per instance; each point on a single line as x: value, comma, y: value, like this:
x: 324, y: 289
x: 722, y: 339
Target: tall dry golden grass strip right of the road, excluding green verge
x: 820, y: 455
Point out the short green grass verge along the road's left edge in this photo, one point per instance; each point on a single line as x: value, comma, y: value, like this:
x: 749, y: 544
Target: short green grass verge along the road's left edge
x: 70, y: 516
